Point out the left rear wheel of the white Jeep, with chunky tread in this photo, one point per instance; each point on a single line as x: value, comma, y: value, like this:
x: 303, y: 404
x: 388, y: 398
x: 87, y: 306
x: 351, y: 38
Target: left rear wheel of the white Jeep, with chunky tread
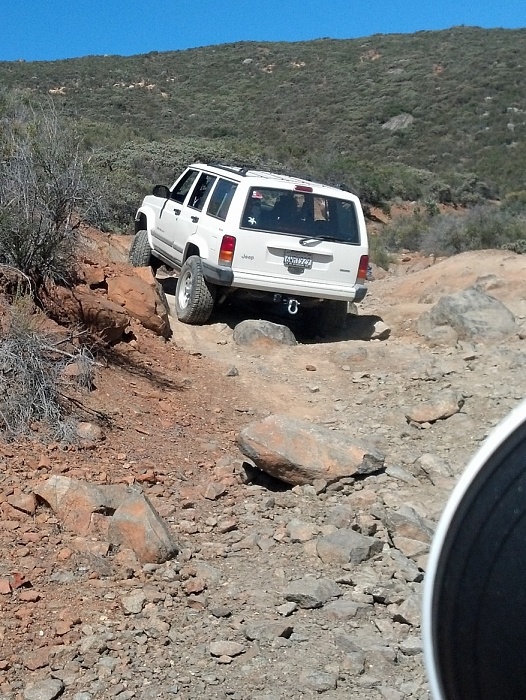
x: 194, y: 296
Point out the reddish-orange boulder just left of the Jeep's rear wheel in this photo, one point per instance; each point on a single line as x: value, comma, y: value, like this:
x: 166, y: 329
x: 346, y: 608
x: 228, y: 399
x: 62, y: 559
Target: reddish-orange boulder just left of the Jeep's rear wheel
x: 141, y: 296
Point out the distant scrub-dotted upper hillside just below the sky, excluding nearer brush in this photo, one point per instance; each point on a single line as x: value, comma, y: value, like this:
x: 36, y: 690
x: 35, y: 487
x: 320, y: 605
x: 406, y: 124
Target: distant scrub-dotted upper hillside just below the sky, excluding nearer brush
x: 451, y: 102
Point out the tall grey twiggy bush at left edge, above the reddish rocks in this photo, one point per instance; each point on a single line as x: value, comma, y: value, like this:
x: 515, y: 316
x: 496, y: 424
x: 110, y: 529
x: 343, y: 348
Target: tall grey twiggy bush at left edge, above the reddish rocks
x: 44, y: 189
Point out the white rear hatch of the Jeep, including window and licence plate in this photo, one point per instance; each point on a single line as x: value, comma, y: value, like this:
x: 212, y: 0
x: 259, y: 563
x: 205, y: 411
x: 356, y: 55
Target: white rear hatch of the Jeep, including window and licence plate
x: 308, y: 242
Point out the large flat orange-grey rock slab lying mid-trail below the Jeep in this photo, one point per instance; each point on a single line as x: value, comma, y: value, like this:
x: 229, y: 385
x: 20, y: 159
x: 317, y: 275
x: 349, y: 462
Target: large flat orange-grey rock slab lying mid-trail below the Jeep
x: 299, y: 452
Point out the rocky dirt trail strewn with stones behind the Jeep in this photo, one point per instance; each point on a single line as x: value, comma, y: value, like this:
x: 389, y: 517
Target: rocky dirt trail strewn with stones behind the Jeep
x: 278, y: 590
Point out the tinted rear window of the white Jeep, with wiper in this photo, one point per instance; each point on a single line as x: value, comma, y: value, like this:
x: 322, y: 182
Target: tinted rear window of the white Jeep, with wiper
x: 301, y: 213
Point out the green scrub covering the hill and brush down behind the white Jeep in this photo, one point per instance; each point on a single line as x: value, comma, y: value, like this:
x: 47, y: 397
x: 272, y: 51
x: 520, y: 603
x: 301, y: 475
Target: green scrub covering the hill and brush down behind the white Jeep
x: 433, y: 117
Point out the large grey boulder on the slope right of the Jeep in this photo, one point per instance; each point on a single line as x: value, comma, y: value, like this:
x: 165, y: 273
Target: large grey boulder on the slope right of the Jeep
x: 472, y: 314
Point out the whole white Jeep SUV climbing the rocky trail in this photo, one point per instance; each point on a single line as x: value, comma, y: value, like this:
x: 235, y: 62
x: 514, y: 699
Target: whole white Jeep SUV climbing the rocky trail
x: 229, y: 230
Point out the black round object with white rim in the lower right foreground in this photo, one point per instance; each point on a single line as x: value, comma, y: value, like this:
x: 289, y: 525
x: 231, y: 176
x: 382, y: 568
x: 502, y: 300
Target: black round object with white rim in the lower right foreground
x: 474, y: 601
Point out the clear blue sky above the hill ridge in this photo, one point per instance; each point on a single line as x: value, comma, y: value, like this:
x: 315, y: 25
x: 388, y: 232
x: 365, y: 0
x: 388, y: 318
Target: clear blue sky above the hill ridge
x: 44, y: 30
